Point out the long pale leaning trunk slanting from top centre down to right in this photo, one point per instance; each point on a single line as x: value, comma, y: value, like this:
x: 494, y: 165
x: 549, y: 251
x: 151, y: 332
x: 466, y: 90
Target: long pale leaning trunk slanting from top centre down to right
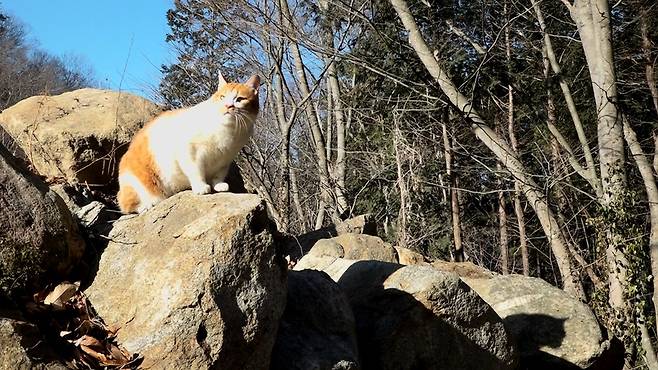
x: 497, y: 145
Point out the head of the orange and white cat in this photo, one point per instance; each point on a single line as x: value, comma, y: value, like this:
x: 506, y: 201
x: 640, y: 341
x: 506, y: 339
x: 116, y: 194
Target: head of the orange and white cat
x: 237, y: 101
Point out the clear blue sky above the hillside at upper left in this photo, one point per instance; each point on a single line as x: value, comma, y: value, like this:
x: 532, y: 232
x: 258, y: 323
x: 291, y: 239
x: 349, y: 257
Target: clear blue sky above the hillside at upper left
x: 107, y: 34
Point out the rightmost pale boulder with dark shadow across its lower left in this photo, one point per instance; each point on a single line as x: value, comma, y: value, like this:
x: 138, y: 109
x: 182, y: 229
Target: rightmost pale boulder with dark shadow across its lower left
x: 551, y: 328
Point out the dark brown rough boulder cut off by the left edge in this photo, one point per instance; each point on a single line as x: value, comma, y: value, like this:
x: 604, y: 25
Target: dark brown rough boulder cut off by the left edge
x: 39, y: 241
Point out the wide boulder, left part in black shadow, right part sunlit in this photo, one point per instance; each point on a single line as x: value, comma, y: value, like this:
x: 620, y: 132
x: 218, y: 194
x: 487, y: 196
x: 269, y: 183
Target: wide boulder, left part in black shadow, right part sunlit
x: 416, y: 317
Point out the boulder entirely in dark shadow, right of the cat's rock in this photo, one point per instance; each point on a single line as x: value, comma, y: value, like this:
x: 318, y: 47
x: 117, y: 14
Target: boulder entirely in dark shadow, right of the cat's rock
x: 317, y: 330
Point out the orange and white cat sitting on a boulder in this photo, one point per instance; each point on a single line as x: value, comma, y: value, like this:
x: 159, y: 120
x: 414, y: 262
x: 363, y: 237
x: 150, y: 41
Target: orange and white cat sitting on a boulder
x: 189, y: 148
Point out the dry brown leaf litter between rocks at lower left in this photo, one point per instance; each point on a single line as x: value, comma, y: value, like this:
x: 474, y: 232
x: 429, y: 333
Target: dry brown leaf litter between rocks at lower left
x: 86, y: 342
